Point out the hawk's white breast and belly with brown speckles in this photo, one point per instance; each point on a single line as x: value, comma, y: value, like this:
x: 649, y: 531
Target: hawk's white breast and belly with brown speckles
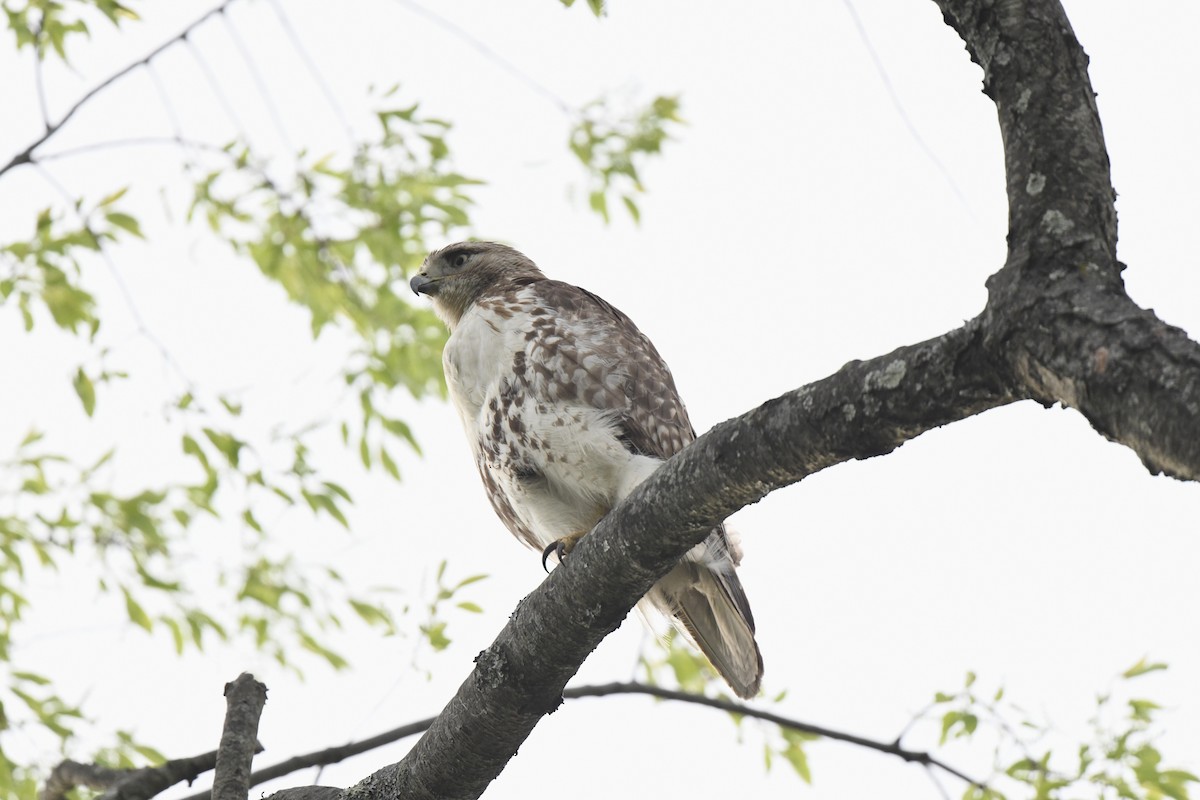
x: 542, y: 407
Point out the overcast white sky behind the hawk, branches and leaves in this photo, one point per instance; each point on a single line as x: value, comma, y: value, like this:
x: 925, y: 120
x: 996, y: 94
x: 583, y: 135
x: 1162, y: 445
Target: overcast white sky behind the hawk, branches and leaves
x: 796, y: 224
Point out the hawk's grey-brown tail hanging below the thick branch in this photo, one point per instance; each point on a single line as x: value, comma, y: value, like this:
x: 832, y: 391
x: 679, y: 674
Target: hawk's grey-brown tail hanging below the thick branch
x: 709, y: 605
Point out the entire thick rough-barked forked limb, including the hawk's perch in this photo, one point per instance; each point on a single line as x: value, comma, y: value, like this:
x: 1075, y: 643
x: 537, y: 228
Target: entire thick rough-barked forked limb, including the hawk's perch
x: 1059, y: 327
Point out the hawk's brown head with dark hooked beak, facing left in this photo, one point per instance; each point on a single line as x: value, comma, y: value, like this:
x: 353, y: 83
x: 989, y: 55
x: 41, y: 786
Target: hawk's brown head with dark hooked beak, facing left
x: 459, y: 275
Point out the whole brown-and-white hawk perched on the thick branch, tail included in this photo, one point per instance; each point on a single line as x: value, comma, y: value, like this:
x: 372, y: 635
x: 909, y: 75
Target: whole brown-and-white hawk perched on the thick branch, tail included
x: 568, y: 407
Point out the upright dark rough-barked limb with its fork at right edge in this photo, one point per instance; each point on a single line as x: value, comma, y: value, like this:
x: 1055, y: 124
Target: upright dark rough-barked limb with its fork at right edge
x: 1058, y: 316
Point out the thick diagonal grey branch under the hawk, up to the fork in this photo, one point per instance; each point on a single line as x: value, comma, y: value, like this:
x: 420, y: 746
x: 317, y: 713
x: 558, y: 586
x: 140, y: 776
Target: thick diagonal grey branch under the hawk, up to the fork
x: 866, y: 410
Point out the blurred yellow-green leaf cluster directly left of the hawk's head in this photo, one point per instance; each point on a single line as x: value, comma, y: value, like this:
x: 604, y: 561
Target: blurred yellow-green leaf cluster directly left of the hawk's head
x: 340, y: 238
